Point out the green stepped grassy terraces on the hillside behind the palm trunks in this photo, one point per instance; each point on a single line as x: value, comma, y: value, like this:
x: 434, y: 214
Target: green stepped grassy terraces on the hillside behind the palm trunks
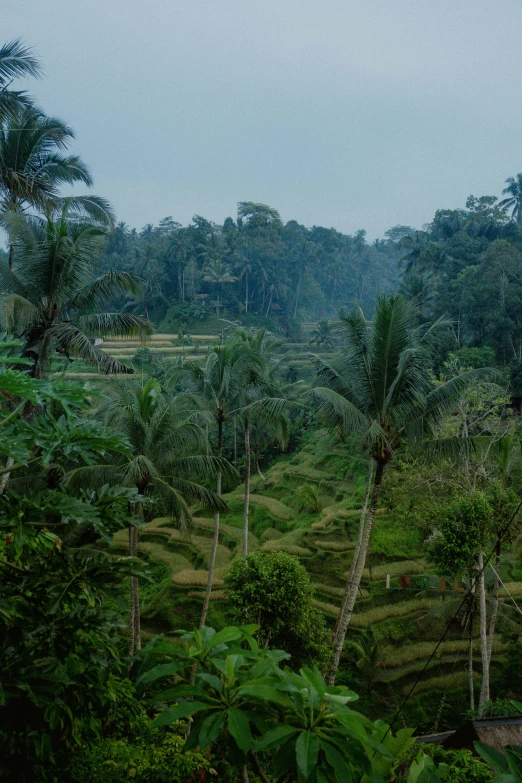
x: 406, y: 622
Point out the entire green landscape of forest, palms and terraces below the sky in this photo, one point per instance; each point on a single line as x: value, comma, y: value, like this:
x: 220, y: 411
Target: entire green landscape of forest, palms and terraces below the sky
x: 260, y: 485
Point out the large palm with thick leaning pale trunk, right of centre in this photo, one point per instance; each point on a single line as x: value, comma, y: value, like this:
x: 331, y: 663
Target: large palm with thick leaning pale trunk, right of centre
x: 382, y: 392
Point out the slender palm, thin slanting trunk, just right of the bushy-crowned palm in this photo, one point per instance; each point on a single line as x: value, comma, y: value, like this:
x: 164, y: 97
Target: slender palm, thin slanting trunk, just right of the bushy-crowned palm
x: 220, y: 382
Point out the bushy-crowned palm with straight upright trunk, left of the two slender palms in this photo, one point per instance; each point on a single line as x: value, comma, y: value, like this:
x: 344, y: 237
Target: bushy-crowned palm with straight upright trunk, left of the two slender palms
x: 168, y: 449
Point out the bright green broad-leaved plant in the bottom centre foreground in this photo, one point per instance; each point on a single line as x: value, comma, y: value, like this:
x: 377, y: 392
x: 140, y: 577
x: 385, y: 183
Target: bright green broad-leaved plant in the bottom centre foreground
x: 292, y: 724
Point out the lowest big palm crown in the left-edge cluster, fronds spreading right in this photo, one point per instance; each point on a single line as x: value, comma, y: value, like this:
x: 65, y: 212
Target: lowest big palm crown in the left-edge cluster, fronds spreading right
x: 53, y: 299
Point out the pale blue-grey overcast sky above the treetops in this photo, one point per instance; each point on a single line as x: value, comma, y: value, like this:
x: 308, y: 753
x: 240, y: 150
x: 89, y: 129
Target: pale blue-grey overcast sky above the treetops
x: 345, y: 113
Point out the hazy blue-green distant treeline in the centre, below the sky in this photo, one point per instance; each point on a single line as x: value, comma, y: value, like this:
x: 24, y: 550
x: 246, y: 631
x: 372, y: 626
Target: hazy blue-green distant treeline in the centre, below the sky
x: 252, y: 265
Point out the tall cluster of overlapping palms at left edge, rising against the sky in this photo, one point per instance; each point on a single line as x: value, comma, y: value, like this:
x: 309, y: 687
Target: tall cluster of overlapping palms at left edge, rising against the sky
x: 51, y: 295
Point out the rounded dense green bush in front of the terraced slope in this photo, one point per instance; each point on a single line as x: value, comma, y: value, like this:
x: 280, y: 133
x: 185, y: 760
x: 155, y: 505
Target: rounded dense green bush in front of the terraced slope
x: 275, y: 591
